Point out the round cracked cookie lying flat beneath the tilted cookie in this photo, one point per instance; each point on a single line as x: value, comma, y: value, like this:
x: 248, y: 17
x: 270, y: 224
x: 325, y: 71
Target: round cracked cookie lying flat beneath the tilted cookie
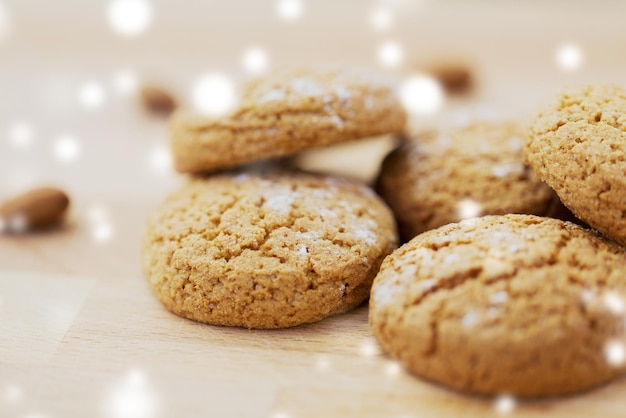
x: 266, y: 250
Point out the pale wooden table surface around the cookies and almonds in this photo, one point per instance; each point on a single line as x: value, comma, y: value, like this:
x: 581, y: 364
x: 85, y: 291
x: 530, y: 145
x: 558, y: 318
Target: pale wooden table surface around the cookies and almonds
x: 81, y: 334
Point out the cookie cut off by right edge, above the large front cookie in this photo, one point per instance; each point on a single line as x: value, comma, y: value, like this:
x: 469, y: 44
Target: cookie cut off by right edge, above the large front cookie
x: 578, y: 146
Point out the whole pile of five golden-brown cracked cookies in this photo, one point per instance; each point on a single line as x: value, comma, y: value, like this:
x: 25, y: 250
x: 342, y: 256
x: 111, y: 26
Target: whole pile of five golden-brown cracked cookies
x: 490, y: 294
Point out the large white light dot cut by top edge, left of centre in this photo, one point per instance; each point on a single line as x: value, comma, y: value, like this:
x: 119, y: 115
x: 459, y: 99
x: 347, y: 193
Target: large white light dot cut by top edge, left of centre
x: 129, y: 17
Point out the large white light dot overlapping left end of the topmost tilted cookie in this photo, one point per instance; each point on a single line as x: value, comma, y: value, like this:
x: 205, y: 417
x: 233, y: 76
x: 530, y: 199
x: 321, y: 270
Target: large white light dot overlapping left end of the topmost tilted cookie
x: 214, y: 94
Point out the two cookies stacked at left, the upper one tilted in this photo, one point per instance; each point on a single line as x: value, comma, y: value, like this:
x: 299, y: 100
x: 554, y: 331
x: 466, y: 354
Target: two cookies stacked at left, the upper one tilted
x: 261, y: 249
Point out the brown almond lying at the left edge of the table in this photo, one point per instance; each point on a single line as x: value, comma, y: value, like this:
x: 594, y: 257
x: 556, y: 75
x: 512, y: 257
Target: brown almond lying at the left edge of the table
x: 36, y: 209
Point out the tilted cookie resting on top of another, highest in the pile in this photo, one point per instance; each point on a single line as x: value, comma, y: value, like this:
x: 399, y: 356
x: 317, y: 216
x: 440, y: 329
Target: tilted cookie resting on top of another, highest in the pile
x: 287, y: 113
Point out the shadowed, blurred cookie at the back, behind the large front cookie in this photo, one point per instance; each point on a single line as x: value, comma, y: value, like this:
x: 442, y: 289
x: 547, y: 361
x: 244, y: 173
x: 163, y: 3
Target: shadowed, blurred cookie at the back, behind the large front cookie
x: 443, y: 177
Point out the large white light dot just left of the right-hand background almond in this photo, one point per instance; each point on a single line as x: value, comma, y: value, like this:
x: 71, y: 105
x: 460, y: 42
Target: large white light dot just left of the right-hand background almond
x: 421, y: 95
